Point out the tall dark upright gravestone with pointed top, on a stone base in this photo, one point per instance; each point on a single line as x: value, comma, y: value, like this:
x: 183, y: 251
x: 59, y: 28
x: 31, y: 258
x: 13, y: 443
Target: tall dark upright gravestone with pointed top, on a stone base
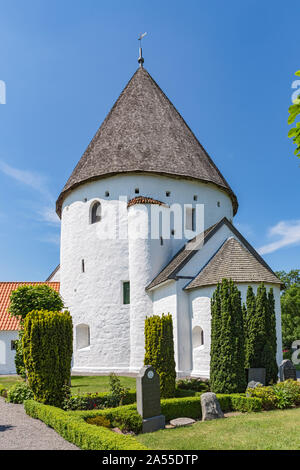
x: 148, y: 399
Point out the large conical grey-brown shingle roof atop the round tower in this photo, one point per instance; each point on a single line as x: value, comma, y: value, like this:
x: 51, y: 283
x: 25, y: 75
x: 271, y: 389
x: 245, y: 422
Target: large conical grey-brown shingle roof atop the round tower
x: 145, y: 133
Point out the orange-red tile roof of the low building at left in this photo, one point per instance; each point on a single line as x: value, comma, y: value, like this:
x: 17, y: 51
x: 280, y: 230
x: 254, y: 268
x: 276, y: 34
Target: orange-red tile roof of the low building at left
x: 8, y: 323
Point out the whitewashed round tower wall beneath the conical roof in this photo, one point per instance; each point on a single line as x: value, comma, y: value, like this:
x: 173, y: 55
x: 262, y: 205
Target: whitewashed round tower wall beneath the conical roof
x: 94, y: 297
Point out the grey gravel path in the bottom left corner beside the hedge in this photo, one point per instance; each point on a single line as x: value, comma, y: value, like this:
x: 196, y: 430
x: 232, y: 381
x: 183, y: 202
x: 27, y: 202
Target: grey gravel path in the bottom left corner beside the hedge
x: 20, y: 432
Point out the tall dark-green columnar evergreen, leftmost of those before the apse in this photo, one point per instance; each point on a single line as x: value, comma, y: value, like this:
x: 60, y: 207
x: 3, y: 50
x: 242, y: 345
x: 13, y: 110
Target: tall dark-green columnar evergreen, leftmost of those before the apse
x: 227, y: 366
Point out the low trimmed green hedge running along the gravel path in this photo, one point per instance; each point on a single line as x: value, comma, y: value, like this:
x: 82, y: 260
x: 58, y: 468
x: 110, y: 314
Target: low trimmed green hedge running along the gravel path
x: 72, y: 427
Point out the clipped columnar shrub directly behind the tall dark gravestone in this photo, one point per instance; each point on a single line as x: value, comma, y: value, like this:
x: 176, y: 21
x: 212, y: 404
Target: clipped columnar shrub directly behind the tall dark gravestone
x: 159, y: 346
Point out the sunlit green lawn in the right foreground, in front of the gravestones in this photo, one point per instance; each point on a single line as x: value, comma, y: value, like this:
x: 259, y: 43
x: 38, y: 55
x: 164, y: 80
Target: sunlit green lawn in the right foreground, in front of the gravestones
x: 271, y: 430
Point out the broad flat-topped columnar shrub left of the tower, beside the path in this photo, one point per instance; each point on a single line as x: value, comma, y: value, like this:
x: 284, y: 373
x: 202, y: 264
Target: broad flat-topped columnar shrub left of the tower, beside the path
x: 47, y: 347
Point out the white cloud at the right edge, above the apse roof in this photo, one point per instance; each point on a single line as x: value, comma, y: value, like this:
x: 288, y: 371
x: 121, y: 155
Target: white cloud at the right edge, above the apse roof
x: 288, y: 233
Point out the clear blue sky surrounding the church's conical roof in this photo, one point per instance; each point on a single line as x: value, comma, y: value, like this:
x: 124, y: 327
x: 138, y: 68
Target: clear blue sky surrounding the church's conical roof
x: 228, y: 67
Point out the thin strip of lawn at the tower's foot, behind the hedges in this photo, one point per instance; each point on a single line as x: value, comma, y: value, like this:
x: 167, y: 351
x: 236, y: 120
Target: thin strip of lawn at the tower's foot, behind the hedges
x: 80, y: 384
